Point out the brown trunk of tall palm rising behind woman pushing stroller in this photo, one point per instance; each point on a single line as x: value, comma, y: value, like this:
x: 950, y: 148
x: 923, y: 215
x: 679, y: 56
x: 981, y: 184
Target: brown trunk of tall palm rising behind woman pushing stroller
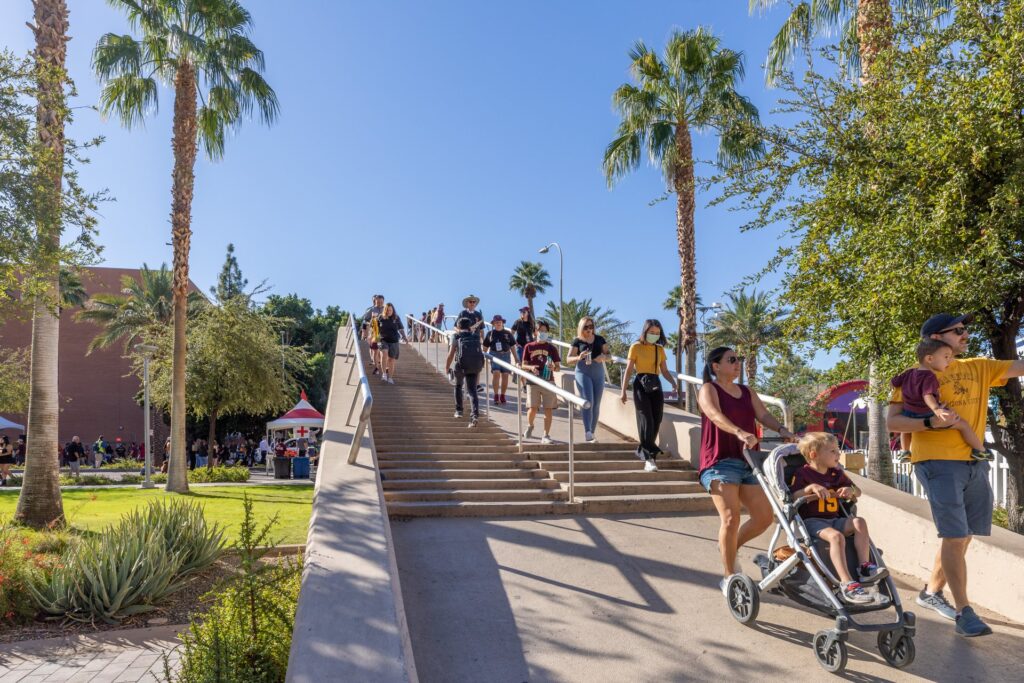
x: 686, y: 238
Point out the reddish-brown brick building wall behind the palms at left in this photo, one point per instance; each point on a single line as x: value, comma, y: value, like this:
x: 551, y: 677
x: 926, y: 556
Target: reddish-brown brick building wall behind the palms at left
x: 98, y: 392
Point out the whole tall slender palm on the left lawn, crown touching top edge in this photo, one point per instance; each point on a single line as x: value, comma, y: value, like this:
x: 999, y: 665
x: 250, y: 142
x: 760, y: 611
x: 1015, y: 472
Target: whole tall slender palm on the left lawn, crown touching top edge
x: 203, y: 49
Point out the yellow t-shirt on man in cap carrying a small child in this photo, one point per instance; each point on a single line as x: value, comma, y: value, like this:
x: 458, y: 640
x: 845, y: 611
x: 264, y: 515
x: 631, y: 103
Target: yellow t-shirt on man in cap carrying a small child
x: 964, y: 389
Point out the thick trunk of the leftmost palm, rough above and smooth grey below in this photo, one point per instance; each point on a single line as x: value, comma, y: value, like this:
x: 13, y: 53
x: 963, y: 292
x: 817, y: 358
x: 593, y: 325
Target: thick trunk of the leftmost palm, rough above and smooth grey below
x: 40, y: 504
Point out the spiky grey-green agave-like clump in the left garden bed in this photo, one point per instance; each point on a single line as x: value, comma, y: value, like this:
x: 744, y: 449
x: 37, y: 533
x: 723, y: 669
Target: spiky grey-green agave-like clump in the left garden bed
x: 130, y: 567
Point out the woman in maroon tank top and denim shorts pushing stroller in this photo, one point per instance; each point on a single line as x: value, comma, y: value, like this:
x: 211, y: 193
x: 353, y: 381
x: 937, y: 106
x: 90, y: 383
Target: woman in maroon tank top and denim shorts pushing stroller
x: 730, y: 414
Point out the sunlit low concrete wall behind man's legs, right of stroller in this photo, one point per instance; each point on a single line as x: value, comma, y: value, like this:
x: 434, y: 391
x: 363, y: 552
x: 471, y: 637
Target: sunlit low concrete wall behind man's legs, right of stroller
x: 902, y: 526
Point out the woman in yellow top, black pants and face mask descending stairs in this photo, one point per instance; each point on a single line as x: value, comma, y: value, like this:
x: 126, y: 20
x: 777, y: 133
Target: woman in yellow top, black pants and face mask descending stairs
x: 649, y: 359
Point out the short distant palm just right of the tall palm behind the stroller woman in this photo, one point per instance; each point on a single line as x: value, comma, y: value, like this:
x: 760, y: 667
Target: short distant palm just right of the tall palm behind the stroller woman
x: 748, y: 324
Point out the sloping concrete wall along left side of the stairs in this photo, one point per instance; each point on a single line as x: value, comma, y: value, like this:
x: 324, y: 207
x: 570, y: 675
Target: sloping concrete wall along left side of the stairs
x: 351, y: 622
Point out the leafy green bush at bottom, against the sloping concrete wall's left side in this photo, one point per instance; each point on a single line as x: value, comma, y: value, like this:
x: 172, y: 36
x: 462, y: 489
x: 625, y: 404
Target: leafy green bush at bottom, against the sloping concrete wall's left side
x: 247, y: 634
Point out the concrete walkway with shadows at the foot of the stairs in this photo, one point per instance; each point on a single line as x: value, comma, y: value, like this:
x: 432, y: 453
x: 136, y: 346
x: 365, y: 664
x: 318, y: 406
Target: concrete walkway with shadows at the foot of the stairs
x: 632, y: 599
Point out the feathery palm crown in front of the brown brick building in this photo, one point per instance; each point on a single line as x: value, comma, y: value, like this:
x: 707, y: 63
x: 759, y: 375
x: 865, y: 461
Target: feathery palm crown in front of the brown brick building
x: 143, y: 311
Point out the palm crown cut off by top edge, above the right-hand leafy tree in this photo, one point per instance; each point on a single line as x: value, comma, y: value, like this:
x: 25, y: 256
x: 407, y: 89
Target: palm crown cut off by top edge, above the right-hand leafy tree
x: 863, y: 26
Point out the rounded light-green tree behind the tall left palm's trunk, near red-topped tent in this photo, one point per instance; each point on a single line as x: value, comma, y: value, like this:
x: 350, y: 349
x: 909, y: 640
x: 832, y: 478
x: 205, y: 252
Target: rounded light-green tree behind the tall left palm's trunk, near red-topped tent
x: 237, y: 365
